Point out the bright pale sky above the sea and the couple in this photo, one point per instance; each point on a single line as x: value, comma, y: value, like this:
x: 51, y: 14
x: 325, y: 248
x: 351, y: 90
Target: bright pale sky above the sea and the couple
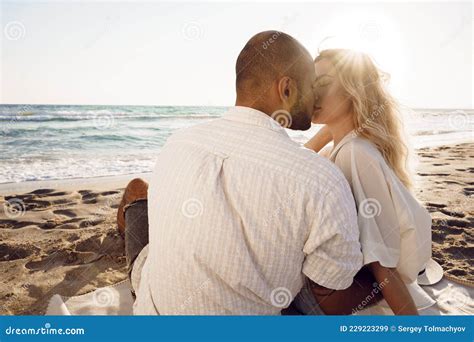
x: 163, y: 53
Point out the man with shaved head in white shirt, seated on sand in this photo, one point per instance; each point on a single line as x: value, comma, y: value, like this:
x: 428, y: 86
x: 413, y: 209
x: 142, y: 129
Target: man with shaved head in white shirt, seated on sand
x: 240, y: 216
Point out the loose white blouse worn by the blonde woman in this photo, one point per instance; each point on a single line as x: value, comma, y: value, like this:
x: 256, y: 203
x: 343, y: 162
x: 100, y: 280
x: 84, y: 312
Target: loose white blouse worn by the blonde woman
x: 395, y: 229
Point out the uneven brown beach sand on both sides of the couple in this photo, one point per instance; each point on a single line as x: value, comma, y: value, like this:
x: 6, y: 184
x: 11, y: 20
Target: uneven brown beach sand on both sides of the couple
x: 61, y: 237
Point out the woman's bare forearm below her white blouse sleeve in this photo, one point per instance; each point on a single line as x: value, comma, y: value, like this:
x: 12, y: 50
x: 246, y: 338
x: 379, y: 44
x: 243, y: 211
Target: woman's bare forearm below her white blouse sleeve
x: 393, y: 289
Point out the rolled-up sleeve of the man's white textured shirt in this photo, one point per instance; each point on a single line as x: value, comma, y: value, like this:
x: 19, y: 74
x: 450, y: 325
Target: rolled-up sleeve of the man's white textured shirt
x: 332, y: 250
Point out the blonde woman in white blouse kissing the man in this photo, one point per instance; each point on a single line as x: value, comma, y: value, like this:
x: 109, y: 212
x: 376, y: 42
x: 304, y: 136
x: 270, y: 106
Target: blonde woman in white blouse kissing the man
x: 362, y: 119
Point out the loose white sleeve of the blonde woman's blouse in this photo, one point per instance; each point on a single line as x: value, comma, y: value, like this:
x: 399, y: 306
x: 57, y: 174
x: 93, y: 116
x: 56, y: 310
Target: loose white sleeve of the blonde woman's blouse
x: 377, y: 217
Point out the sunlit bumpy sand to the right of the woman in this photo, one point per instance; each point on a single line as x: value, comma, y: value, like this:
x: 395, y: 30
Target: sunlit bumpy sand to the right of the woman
x: 446, y: 187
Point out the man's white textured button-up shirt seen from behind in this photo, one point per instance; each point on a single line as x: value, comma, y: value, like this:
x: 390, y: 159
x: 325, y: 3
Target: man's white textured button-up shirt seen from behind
x: 239, y: 214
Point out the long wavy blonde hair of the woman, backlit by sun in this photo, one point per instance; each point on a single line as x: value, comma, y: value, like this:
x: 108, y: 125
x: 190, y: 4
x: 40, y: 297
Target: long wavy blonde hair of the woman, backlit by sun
x: 376, y: 114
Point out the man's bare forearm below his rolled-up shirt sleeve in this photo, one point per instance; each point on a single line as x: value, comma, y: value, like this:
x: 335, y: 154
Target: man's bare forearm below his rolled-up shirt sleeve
x: 362, y: 293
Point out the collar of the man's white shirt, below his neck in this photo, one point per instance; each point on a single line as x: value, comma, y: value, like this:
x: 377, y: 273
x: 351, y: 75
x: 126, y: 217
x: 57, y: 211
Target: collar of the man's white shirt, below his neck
x: 253, y: 117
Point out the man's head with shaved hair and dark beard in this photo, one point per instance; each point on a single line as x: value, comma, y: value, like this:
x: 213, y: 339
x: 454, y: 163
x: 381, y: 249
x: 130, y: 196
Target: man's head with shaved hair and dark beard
x: 275, y: 74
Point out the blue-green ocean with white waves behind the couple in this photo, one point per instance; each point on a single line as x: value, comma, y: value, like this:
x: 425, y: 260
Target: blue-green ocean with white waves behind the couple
x: 53, y: 142
